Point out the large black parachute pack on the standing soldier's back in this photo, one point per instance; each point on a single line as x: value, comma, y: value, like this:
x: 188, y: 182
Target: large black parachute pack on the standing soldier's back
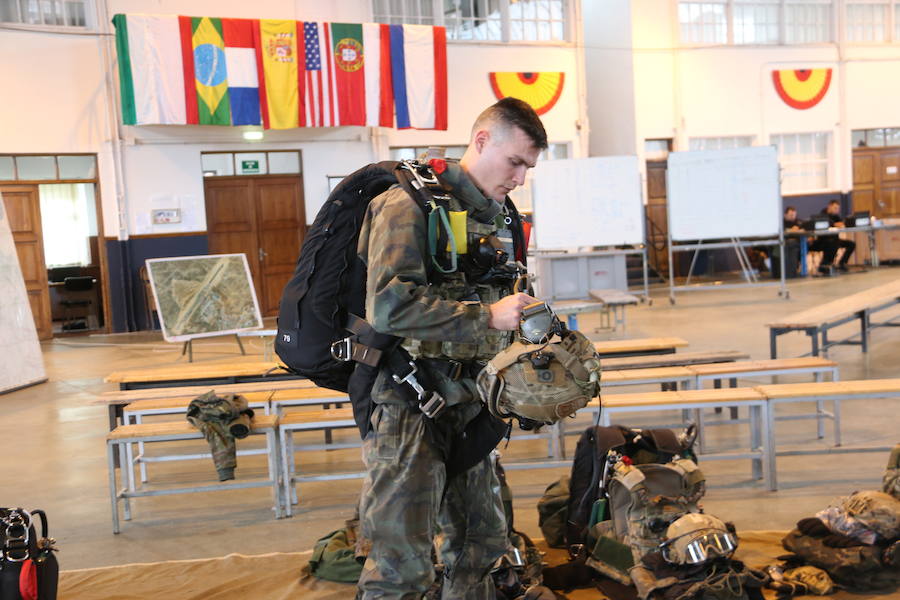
x: 330, y: 281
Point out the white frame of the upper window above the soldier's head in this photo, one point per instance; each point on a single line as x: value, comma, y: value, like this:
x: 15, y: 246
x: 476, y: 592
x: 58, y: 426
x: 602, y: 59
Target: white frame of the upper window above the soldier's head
x: 438, y: 19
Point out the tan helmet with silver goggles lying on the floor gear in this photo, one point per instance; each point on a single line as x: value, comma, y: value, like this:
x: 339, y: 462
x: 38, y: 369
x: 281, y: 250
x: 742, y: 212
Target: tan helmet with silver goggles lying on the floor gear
x: 695, y: 538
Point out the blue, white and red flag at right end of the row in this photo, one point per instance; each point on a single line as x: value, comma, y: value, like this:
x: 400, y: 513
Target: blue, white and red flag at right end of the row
x: 419, y: 76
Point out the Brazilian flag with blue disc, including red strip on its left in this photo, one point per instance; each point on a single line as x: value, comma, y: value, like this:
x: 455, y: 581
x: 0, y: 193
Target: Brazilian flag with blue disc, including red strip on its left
x: 205, y: 73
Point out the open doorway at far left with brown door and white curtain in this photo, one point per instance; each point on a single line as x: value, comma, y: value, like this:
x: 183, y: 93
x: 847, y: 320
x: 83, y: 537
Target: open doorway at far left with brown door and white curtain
x: 53, y: 206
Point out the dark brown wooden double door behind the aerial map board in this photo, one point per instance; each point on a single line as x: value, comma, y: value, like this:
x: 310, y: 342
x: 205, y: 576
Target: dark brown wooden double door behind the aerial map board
x: 263, y: 218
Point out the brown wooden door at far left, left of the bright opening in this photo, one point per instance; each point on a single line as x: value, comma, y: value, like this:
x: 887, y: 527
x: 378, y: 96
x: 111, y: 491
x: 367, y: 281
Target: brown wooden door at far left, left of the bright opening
x: 23, y: 208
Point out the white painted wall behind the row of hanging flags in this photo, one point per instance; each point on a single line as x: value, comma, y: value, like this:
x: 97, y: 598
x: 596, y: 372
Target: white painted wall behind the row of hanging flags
x: 61, y: 104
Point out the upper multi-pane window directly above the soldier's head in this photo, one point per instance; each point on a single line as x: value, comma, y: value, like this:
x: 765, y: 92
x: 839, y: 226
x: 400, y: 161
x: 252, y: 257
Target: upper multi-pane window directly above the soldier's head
x: 481, y: 20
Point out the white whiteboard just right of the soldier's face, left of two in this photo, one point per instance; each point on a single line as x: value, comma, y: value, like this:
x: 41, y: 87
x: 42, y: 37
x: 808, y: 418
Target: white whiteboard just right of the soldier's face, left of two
x: 587, y: 202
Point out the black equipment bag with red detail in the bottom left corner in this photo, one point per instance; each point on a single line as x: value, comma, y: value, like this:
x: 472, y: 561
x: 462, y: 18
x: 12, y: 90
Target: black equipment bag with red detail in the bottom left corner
x: 28, y: 566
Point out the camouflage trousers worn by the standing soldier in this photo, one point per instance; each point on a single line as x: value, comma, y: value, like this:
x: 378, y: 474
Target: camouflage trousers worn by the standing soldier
x: 407, y: 499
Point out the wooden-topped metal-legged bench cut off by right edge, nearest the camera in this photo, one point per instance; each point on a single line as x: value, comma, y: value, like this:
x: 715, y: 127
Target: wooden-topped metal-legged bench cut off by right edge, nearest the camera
x: 834, y: 392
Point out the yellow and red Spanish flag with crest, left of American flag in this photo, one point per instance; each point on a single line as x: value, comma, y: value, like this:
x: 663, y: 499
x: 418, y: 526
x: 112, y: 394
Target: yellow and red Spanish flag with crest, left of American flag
x: 277, y: 59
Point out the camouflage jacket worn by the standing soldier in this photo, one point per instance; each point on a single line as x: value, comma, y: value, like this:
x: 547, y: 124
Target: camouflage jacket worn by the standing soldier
x: 446, y: 320
